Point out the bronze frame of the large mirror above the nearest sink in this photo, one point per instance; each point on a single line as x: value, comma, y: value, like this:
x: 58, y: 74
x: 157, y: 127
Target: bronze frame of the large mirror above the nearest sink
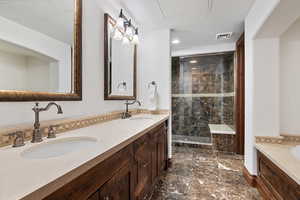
x: 15, y: 96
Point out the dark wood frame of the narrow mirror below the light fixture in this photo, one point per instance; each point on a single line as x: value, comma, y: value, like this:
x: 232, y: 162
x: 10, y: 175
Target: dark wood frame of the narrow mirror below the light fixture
x: 107, y: 75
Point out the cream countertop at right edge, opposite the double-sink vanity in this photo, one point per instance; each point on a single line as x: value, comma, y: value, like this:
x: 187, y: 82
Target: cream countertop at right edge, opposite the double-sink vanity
x: 280, y: 155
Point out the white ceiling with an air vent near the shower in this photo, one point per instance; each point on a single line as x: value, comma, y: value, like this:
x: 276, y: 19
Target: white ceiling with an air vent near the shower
x: 193, y: 23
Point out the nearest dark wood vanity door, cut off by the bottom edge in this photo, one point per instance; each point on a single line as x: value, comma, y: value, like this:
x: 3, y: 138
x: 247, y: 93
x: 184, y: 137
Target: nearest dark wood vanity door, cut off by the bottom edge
x: 120, y: 187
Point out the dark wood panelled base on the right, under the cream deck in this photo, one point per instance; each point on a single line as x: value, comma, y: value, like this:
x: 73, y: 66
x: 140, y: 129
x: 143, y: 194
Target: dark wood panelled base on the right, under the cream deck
x: 273, y: 183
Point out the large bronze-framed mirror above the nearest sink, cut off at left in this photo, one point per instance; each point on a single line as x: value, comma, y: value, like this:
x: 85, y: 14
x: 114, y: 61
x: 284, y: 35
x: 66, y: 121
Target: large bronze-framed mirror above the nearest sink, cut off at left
x: 40, y: 50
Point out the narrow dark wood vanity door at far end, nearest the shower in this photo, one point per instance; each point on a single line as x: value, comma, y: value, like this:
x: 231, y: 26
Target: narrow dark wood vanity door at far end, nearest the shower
x: 162, y: 150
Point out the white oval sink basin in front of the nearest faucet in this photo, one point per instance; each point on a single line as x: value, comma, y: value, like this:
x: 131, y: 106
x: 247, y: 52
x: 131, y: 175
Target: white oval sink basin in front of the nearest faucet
x: 59, y: 147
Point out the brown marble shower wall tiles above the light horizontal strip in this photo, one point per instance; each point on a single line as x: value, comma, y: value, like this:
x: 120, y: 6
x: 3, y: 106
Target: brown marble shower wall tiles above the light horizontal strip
x: 211, y: 74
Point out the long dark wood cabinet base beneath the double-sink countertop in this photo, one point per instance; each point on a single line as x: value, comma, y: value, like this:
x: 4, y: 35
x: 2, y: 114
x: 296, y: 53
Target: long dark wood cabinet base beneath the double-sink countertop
x: 128, y: 174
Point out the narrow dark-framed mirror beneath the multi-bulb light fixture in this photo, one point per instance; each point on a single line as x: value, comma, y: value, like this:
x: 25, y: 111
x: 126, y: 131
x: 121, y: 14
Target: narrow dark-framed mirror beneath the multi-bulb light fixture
x: 120, y: 64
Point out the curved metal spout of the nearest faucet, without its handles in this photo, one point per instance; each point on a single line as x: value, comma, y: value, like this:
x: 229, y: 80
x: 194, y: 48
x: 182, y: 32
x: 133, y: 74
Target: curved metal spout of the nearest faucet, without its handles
x: 37, y: 135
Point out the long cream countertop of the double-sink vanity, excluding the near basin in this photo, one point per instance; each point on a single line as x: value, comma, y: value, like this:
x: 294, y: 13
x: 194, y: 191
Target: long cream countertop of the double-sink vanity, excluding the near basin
x: 20, y: 176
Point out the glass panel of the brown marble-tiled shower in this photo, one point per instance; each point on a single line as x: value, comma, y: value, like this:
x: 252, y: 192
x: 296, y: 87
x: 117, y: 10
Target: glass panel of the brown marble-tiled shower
x: 202, y: 94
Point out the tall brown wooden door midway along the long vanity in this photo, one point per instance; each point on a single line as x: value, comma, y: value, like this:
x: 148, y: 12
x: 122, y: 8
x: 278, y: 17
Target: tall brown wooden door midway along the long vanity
x: 142, y: 167
